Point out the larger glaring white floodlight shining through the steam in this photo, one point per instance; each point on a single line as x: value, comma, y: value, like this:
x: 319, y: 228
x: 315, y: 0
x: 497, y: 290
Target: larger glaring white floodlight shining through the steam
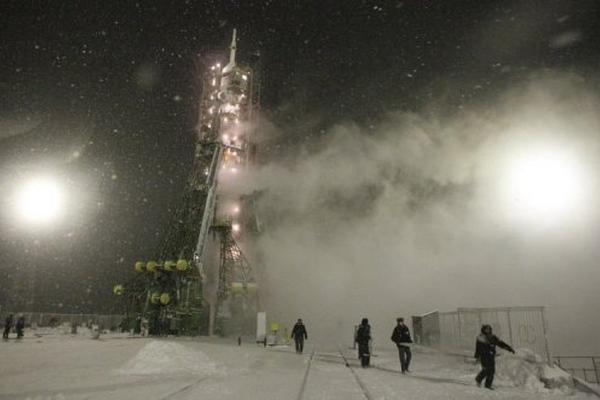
x: 545, y: 183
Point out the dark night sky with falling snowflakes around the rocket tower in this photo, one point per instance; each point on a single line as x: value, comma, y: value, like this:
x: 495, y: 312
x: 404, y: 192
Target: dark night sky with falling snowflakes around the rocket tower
x: 106, y: 95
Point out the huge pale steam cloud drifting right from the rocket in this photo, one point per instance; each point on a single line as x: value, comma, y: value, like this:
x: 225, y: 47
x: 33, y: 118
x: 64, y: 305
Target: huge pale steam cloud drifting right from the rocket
x: 407, y: 218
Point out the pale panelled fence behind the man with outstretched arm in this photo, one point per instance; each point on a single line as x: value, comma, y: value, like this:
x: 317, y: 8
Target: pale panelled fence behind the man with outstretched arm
x: 519, y: 326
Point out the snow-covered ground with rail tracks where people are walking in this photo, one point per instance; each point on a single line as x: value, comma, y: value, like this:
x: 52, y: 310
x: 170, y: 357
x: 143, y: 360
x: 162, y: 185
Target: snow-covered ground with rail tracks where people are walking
x: 58, y: 366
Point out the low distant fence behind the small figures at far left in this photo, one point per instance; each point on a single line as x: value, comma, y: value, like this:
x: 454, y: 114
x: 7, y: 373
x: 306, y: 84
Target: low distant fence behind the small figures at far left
x: 107, y: 321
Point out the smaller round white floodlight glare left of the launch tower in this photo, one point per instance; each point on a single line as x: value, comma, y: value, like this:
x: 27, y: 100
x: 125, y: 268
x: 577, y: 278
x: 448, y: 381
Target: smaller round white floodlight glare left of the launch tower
x: 39, y: 201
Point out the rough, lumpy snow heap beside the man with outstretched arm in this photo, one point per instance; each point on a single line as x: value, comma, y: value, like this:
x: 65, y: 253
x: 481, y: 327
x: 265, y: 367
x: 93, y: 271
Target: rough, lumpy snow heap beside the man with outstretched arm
x: 529, y: 370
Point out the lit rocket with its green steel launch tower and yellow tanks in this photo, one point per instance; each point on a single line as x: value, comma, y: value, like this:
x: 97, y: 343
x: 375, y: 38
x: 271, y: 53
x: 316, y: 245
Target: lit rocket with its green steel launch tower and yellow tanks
x: 199, y: 281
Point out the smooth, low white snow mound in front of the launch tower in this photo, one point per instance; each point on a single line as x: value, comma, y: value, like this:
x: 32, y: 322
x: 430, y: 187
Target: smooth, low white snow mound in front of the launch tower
x: 168, y: 358
